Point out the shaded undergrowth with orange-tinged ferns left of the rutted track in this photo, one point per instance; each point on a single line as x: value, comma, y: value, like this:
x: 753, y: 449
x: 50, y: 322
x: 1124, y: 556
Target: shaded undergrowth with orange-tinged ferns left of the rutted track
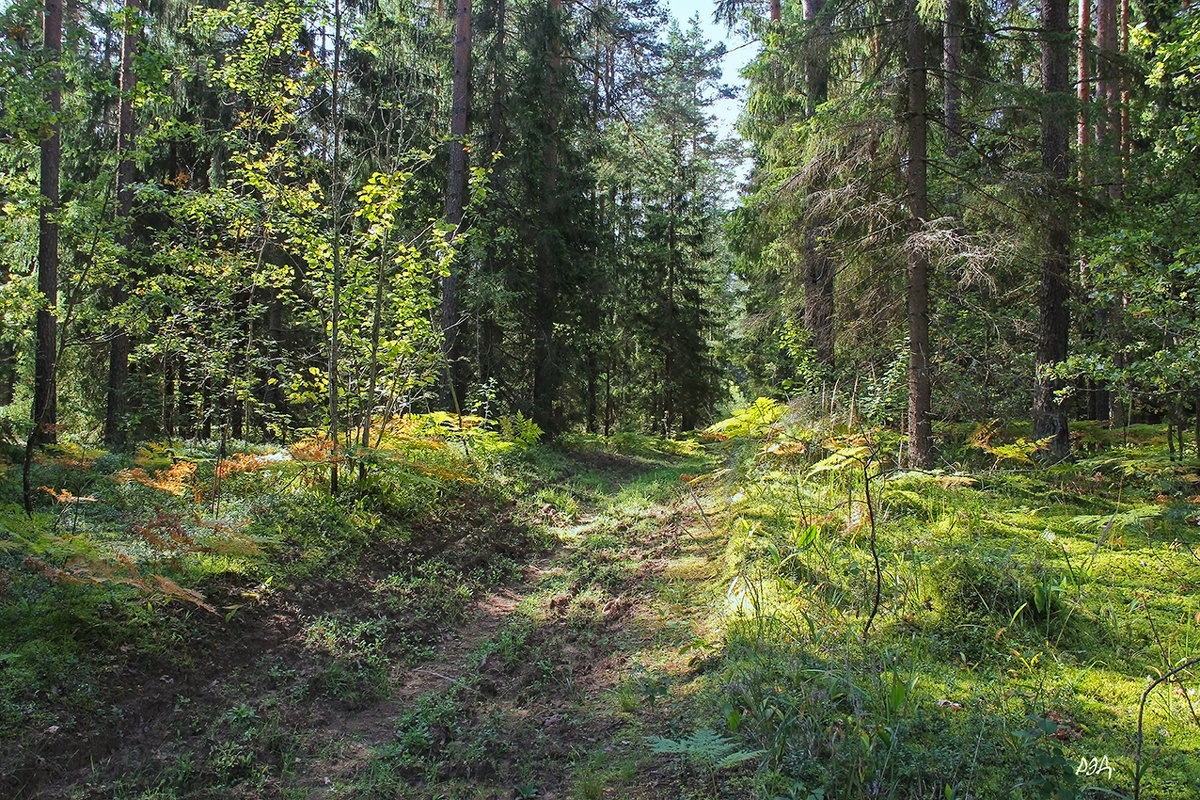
x: 142, y: 564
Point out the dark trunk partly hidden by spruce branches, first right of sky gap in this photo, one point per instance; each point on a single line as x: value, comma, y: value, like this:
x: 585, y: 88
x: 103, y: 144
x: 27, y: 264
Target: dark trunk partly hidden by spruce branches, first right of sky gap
x: 819, y: 273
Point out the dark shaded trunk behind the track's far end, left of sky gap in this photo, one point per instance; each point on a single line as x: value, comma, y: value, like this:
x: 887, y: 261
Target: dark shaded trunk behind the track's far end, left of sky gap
x: 545, y: 310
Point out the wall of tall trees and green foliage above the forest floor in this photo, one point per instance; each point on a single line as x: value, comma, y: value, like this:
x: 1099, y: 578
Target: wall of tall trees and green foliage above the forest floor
x: 259, y: 218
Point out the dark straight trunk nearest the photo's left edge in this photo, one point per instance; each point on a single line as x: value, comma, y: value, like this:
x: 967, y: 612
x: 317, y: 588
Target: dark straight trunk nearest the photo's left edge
x: 46, y: 408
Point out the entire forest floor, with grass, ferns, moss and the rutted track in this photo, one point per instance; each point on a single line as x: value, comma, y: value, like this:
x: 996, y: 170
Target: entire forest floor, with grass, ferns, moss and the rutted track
x: 772, y: 609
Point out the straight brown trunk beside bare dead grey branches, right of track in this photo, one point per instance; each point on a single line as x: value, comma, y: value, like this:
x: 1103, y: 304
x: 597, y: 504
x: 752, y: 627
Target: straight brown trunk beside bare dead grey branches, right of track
x: 921, y: 444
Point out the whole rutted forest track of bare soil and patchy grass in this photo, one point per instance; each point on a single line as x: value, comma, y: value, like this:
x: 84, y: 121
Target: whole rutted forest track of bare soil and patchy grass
x: 544, y: 685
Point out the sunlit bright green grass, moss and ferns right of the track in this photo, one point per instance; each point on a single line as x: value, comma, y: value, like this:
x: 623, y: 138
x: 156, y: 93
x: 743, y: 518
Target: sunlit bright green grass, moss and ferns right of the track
x: 983, y: 630
